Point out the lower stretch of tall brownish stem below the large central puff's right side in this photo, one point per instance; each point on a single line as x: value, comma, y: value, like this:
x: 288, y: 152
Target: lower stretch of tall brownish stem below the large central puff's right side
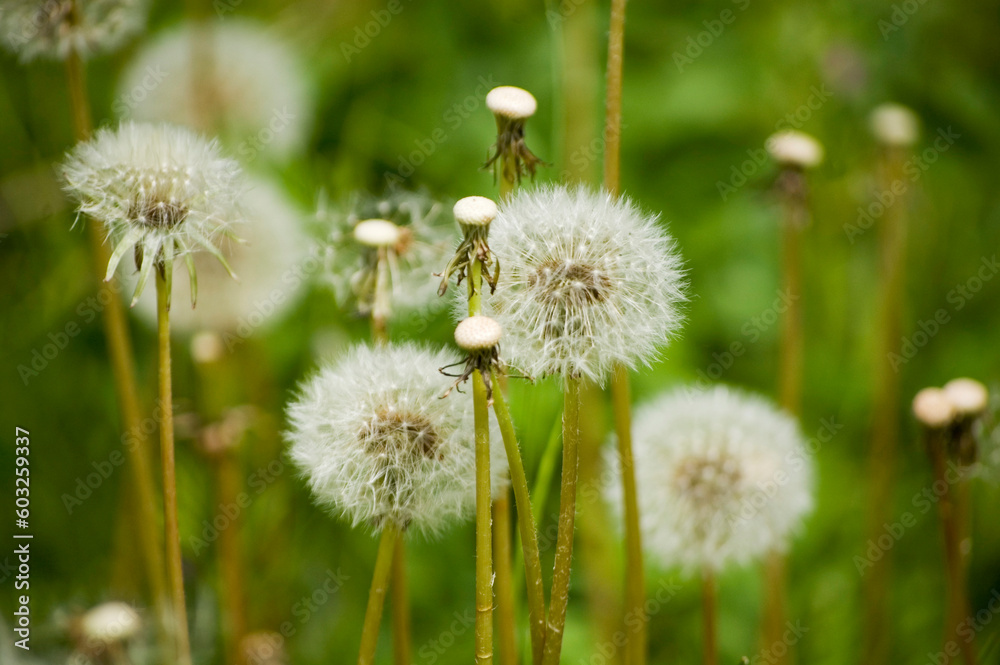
x: 635, y: 585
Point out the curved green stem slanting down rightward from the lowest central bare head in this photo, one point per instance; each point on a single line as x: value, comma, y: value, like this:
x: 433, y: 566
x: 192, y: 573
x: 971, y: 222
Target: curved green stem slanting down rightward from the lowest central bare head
x: 525, y: 523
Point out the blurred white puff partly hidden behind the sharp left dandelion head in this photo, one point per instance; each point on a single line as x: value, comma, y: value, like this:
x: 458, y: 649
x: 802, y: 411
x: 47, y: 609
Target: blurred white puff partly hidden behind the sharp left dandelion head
x: 273, y: 260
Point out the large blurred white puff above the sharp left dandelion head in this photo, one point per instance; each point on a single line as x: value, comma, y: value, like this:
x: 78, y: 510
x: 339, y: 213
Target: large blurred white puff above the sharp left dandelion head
x: 235, y: 80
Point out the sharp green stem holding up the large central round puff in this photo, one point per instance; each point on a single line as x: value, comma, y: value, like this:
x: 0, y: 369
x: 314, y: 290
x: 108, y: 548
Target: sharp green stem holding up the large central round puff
x: 559, y: 596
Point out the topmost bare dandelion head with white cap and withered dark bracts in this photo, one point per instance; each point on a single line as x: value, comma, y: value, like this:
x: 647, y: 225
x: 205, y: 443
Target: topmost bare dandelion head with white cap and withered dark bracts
x: 511, y: 107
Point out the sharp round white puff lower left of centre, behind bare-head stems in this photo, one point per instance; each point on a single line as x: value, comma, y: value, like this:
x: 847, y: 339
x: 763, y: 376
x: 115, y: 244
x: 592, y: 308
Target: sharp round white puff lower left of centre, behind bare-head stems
x: 377, y: 443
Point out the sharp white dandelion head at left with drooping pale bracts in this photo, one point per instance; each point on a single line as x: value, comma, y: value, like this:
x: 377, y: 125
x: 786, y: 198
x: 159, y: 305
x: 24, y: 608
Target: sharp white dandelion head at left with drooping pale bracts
x: 159, y: 190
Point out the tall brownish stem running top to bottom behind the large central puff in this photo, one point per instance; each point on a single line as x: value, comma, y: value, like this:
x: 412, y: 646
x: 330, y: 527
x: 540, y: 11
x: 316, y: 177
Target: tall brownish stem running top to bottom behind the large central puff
x: 635, y: 592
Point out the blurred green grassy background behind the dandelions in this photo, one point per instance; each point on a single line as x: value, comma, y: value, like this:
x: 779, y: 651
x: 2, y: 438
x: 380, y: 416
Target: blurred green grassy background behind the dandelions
x: 416, y: 87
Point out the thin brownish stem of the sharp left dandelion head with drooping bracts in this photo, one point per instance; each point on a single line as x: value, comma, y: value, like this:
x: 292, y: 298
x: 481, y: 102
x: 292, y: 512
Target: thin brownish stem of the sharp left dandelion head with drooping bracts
x: 171, y: 532
